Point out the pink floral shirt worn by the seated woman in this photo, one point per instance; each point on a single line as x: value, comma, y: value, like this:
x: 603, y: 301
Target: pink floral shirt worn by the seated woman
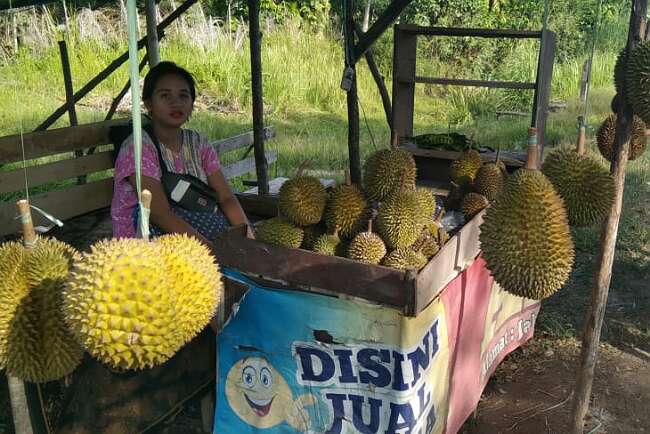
x: 124, y: 195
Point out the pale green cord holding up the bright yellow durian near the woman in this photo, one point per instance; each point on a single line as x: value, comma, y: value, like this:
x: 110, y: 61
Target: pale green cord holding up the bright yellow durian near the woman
x: 134, y: 72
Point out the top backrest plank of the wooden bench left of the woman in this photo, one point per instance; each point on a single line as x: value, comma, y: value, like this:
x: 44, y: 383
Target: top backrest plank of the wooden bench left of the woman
x: 57, y: 141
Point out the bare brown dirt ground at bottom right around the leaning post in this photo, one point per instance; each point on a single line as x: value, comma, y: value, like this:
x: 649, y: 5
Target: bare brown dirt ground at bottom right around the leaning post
x: 531, y: 392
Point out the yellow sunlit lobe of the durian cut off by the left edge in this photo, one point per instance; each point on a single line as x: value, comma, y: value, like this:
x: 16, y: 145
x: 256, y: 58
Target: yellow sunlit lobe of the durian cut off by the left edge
x: 13, y: 287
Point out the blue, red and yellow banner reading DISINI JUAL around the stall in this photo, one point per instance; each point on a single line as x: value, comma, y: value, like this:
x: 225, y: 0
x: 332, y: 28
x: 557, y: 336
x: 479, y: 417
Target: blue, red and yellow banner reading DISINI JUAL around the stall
x: 298, y: 362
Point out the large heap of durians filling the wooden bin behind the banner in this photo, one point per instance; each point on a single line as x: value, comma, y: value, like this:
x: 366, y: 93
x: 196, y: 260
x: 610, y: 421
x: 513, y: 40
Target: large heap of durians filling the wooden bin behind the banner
x: 389, y: 221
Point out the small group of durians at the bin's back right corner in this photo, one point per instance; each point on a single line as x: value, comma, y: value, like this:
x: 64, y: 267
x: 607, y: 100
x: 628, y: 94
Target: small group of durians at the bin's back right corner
x: 474, y: 184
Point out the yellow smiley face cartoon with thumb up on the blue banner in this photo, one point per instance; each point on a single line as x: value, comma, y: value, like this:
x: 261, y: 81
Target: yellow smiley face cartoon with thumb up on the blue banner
x: 261, y: 397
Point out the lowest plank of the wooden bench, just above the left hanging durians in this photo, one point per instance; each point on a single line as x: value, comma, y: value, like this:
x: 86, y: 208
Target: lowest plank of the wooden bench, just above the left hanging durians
x: 63, y: 204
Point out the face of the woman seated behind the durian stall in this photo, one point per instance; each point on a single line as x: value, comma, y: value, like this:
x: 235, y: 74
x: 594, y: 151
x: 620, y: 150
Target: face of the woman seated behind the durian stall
x: 171, y: 103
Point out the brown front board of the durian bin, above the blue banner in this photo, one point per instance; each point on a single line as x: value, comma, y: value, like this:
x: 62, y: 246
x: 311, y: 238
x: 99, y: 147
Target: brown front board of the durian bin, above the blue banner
x: 312, y: 272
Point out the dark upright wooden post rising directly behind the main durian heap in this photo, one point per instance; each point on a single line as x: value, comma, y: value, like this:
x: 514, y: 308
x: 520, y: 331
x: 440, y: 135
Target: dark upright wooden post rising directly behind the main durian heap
x: 352, y: 97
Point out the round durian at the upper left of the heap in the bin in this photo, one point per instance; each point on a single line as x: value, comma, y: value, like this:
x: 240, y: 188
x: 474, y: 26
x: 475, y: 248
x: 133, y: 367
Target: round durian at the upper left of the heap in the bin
x: 302, y: 200
